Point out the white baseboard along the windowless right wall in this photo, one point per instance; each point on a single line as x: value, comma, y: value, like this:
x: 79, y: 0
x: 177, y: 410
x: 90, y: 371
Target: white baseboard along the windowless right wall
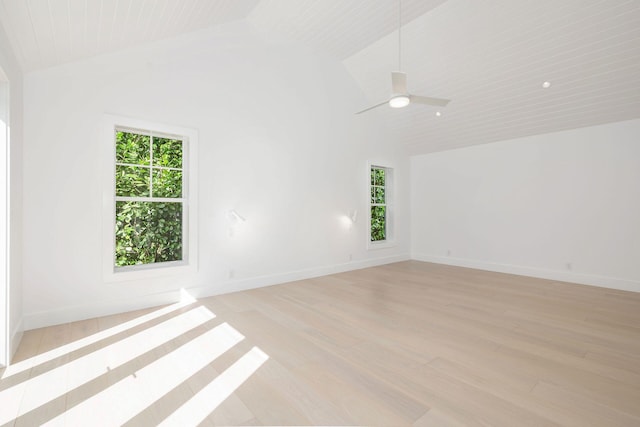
x: 562, y: 276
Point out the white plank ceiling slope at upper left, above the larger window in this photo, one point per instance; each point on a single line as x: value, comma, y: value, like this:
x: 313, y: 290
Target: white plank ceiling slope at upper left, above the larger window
x: 47, y: 33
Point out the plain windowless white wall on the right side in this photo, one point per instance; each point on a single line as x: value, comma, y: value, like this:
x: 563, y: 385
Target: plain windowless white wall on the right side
x: 564, y: 206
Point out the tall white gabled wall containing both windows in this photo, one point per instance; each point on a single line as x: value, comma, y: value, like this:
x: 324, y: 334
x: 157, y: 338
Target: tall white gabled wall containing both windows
x: 278, y: 142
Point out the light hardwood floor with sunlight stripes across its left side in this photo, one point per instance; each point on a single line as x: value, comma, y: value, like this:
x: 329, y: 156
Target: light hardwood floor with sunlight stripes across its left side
x: 409, y: 343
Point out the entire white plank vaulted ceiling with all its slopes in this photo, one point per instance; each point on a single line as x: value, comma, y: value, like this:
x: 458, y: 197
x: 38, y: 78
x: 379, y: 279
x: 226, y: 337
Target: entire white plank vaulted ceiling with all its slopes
x: 490, y: 57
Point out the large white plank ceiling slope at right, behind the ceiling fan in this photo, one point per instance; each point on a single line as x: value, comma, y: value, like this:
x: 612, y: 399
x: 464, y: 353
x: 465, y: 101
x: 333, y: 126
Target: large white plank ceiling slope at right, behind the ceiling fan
x: 492, y: 57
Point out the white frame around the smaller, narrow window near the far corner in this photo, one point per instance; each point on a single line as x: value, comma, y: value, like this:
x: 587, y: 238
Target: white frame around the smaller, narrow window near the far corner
x: 389, y: 211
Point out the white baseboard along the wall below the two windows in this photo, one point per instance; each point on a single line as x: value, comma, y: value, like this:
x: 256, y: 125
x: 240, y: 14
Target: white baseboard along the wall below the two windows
x: 106, y: 308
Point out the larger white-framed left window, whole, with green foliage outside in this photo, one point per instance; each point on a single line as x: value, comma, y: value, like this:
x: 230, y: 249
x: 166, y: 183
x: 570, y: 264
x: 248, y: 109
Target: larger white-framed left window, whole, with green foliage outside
x: 150, y: 199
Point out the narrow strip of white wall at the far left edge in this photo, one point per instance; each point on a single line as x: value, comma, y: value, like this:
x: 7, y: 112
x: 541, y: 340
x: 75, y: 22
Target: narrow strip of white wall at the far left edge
x: 10, y: 66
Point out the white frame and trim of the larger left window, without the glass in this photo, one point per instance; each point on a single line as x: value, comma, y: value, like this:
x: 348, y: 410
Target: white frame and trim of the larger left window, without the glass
x: 189, y: 137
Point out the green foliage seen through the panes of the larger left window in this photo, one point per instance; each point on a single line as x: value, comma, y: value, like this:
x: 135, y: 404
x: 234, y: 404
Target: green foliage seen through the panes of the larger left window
x: 148, y: 231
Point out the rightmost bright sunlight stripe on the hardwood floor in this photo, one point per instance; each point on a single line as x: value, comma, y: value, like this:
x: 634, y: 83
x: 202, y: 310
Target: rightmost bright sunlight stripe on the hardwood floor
x: 196, y: 409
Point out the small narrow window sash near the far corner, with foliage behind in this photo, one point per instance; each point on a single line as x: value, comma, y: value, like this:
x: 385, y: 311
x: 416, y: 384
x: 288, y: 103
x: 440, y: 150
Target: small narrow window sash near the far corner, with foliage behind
x: 380, y: 229
